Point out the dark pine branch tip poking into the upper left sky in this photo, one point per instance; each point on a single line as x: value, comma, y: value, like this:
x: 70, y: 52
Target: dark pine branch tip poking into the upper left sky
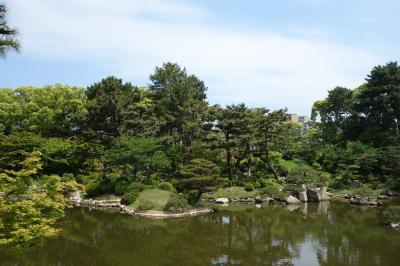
x: 8, y: 34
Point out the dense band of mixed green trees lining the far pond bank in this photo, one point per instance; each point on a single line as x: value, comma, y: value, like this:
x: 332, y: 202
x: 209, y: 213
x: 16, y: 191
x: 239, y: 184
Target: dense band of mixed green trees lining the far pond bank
x: 116, y: 138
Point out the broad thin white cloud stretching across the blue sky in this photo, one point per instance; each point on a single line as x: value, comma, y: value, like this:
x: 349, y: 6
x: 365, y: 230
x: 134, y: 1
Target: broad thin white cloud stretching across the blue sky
x: 131, y: 37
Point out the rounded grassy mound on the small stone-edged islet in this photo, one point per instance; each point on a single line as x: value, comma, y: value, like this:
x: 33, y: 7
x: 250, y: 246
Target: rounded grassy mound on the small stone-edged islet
x: 152, y: 199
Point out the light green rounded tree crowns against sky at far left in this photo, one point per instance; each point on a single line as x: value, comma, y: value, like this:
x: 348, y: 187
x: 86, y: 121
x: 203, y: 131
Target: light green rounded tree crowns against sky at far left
x: 50, y: 111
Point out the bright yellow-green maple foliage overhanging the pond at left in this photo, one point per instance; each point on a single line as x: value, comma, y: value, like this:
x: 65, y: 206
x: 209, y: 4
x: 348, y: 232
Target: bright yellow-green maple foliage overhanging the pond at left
x: 29, y: 208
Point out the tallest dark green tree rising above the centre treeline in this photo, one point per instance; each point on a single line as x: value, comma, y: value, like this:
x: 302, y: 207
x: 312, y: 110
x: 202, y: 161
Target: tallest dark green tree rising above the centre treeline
x: 180, y: 101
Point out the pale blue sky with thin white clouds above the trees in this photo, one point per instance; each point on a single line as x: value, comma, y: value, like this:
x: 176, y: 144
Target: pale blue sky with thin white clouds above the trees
x: 281, y: 53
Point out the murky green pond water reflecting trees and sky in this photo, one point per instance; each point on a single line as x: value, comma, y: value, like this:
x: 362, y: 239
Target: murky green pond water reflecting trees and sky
x: 315, y: 234
